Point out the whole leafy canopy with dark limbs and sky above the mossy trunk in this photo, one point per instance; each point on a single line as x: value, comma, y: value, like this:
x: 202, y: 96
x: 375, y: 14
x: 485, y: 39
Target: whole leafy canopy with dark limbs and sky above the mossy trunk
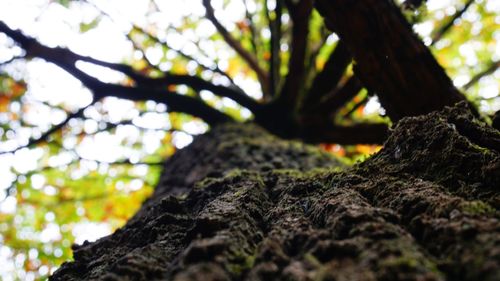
x: 80, y: 155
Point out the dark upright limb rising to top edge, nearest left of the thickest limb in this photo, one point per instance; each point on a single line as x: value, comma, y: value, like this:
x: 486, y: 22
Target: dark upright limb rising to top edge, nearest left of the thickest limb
x: 300, y: 14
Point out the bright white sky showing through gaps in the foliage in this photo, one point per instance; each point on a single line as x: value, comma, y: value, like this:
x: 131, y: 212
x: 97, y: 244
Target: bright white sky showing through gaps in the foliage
x: 55, y: 25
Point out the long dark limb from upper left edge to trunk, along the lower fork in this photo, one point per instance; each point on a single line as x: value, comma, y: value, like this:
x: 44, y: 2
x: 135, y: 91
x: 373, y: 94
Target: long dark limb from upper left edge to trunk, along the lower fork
x: 64, y: 59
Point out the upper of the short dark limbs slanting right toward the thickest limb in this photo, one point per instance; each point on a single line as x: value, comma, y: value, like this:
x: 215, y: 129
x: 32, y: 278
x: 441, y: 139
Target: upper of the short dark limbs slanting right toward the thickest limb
x: 329, y: 77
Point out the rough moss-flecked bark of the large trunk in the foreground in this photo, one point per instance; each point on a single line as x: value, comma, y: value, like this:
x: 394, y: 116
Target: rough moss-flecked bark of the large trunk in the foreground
x: 241, y: 204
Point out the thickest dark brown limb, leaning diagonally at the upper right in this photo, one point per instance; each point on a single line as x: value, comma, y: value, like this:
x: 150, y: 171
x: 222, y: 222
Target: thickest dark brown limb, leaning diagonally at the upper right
x: 390, y: 60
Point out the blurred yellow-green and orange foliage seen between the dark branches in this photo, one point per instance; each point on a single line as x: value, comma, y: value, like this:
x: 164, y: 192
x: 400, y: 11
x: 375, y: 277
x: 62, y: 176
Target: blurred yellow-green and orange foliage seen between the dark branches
x: 88, y: 178
